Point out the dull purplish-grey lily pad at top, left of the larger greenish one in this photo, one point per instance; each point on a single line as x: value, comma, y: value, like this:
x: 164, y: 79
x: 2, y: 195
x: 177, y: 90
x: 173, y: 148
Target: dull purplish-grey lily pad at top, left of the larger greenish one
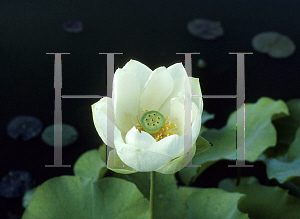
x: 205, y: 29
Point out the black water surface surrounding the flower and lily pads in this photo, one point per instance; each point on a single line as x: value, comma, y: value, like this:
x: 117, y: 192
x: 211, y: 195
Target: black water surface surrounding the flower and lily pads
x: 151, y: 32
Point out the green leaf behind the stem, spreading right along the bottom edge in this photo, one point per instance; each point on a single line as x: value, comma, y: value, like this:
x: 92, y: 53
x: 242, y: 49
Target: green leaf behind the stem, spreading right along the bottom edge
x: 172, y: 201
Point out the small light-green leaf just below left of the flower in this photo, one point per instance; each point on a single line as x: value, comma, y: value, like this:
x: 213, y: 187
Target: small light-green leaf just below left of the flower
x: 91, y: 165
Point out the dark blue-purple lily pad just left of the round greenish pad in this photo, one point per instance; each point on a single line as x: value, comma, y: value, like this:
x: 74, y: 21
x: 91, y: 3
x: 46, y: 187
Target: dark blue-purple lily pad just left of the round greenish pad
x: 26, y: 126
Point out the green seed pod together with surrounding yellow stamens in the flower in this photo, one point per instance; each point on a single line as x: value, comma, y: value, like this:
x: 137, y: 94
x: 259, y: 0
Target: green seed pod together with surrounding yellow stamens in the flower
x: 153, y: 122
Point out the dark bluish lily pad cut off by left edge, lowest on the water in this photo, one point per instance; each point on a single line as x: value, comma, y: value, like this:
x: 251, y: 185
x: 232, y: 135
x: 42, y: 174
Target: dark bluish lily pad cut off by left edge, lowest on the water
x: 15, y: 184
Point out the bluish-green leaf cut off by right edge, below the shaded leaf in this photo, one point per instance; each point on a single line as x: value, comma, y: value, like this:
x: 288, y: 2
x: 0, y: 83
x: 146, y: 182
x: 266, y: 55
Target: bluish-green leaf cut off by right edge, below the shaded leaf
x: 287, y: 166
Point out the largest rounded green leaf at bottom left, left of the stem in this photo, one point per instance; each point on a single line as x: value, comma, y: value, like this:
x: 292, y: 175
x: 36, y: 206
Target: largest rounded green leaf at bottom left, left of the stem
x: 75, y: 197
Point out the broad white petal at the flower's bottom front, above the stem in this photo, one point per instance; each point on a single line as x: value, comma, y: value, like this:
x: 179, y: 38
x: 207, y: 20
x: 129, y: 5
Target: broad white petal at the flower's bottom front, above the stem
x: 140, y: 159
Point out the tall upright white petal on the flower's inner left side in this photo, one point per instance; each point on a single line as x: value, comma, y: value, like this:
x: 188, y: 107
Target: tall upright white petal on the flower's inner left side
x: 126, y: 93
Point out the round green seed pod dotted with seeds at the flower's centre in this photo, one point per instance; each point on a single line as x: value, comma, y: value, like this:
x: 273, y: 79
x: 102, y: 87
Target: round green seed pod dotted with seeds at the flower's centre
x: 152, y: 121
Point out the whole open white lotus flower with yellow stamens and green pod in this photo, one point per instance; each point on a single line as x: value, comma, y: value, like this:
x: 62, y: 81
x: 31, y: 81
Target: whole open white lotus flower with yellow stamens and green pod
x: 149, y: 117
